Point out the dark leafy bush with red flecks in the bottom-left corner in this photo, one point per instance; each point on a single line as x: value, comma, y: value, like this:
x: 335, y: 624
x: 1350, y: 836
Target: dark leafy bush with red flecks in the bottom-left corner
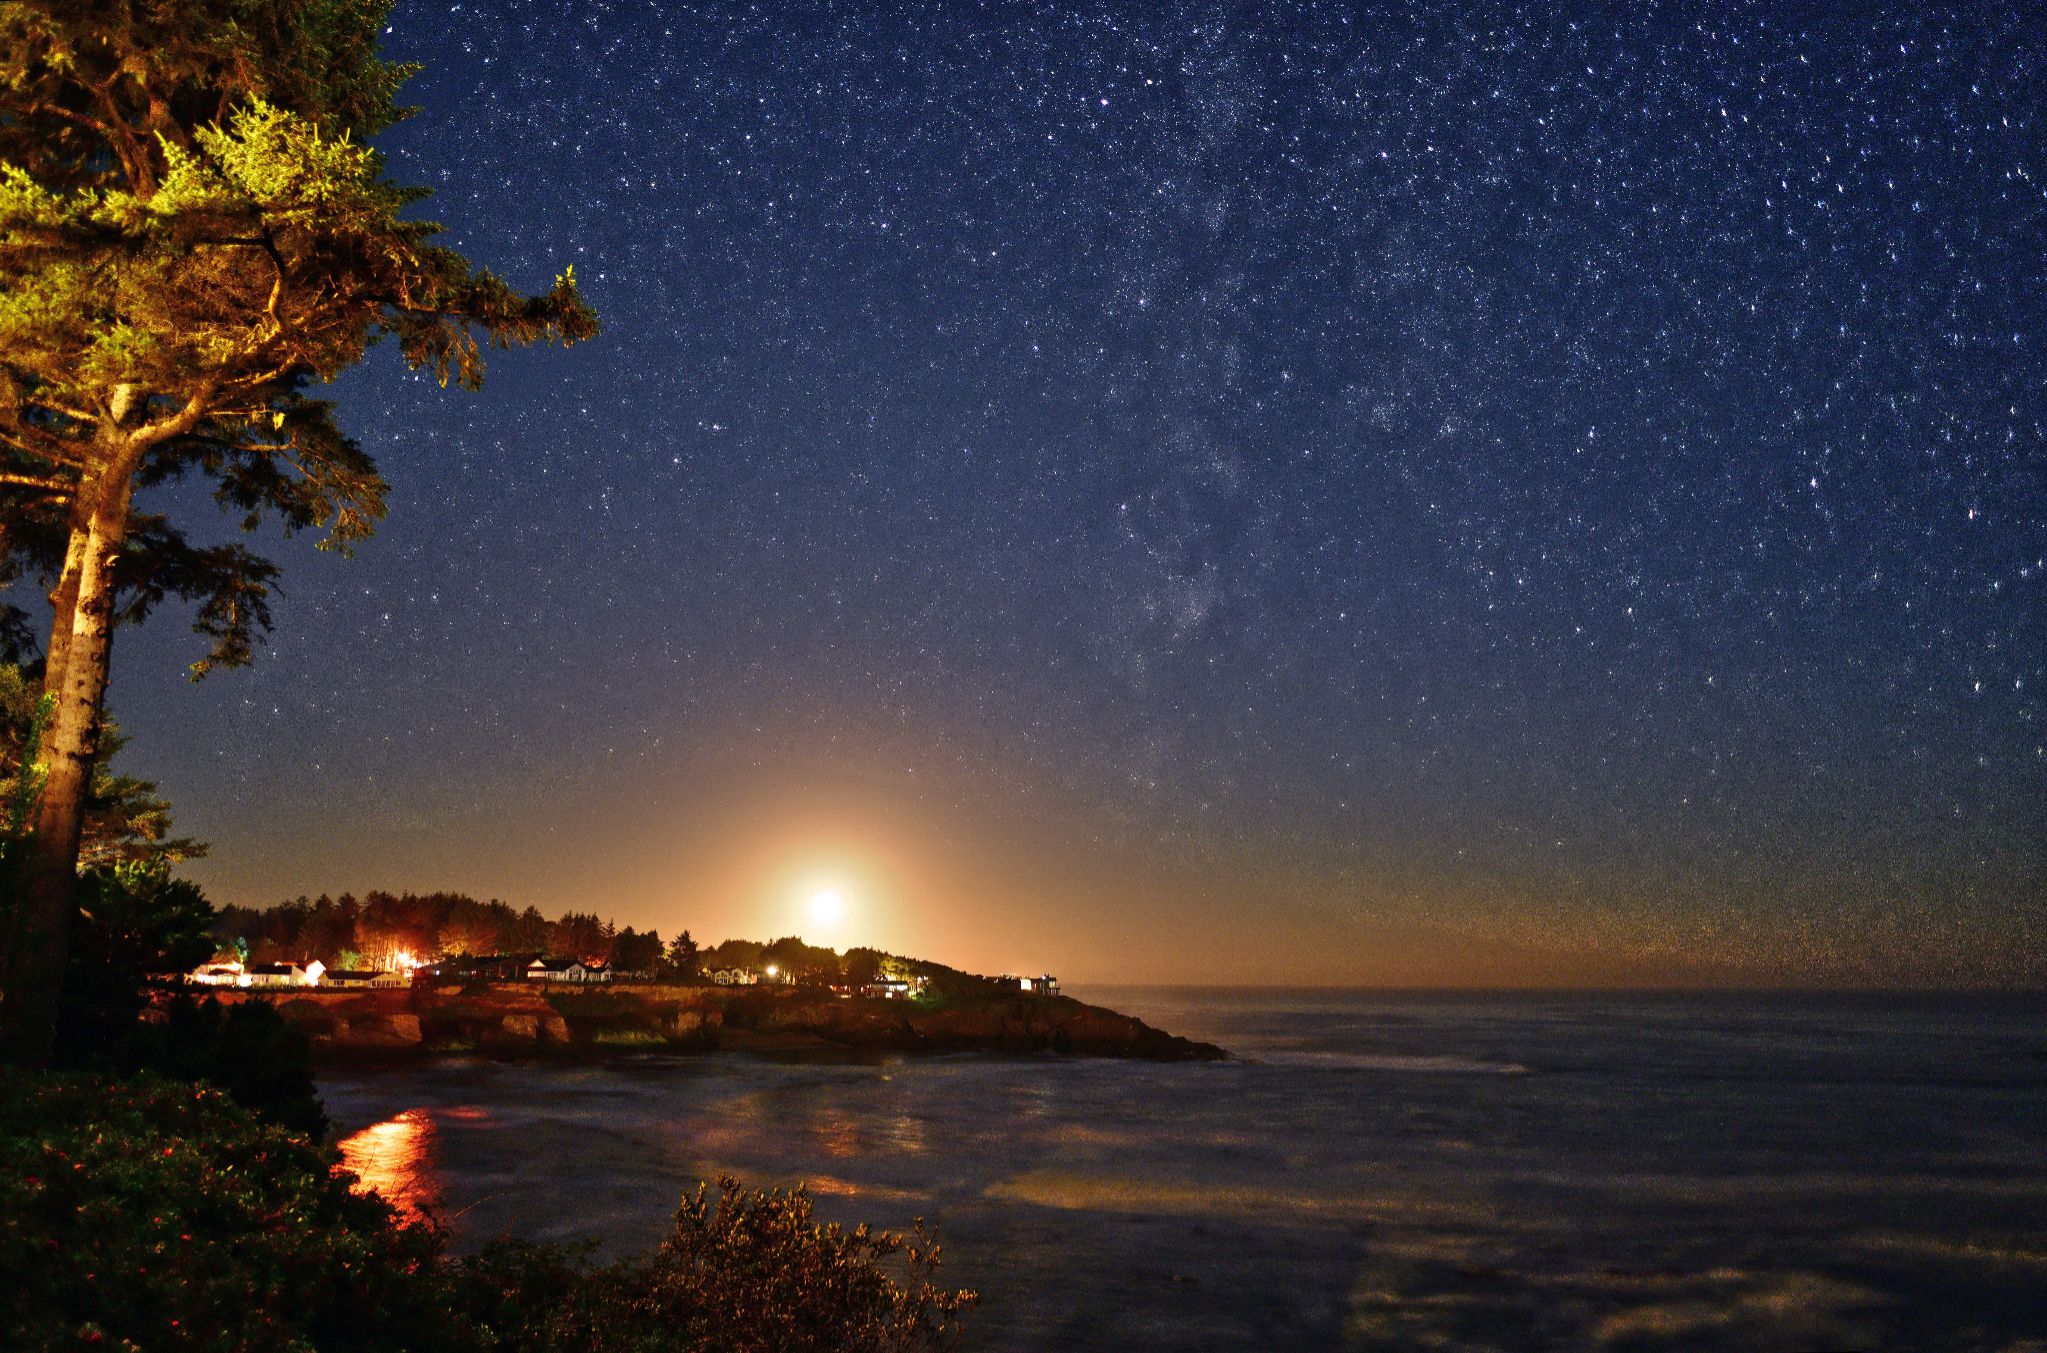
x: 165, y: 1217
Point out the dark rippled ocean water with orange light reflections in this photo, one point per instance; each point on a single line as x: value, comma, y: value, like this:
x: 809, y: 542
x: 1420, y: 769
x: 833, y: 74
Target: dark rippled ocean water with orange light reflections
x: 1373, y: 1172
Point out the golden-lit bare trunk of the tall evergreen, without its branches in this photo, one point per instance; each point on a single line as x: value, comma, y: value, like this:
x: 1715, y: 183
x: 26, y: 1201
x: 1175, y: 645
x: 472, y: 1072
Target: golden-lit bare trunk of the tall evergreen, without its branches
x: 32, y: 969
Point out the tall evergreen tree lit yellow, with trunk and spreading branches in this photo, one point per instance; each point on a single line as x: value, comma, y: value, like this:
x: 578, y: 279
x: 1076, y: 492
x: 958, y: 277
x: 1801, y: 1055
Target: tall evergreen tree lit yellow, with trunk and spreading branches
x: 193, y: 232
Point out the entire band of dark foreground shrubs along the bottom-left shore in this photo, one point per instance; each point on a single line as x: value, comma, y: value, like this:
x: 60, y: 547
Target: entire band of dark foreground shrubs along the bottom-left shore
x: 165, y: 1217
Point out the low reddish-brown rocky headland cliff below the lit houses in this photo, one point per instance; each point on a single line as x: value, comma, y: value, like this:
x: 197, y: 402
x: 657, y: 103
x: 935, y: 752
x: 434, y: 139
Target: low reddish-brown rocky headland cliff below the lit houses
x: 533, y: 1020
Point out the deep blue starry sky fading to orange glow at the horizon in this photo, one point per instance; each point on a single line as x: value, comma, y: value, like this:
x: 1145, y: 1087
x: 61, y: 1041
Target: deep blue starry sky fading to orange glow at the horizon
x: 1174, y: 492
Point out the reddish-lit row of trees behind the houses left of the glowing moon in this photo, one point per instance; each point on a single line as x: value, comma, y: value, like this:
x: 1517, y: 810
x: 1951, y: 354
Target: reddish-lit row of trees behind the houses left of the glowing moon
x: 382, y: 928
